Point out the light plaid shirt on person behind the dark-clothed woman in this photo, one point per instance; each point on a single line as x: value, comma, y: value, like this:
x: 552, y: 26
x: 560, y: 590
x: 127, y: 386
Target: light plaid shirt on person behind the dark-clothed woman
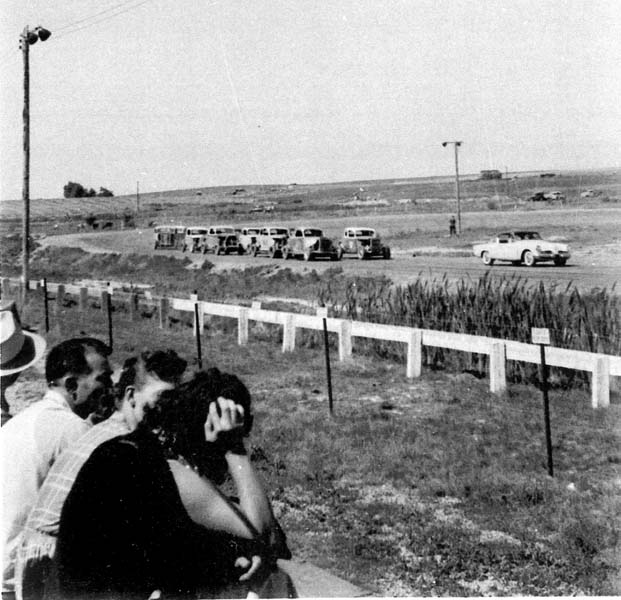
x: 43, y: 522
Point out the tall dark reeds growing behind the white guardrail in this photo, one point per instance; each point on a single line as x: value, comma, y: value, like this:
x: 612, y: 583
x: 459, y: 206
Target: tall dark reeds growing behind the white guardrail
x: 505, y: 308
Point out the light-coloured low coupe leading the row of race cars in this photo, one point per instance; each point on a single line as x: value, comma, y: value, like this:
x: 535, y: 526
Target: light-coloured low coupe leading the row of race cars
x: 521, y: 247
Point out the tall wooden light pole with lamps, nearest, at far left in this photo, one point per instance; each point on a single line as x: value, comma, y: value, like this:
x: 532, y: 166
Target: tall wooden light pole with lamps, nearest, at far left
x: 27, y: 38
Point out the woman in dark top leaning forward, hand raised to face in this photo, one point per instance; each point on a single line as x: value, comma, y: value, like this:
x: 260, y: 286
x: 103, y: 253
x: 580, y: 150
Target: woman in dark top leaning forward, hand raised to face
x: 145, y: 512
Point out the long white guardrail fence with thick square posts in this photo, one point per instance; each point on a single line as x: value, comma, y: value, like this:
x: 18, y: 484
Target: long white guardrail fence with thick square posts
x: 601, y: 366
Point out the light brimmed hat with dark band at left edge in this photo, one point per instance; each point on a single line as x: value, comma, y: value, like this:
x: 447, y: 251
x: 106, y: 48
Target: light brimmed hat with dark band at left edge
x: 19, y: 349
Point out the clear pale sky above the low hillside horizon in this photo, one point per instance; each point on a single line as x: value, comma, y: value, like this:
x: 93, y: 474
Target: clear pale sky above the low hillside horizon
x: 186, y: 93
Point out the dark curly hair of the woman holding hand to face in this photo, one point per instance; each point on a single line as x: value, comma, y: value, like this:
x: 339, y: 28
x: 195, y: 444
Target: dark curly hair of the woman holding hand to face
x: 178, y: 419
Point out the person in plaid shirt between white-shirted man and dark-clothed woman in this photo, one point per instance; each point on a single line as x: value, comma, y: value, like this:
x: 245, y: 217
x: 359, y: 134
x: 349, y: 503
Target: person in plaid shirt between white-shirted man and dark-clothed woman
x: 140, y: 383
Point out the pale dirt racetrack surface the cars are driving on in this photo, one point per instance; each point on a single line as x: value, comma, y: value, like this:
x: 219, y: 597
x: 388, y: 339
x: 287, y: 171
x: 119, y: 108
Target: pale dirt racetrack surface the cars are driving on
x: 585, y: 270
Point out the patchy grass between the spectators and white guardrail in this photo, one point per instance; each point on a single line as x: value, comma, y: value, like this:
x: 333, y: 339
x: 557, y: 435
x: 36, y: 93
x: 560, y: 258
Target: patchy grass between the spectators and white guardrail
x: 423, y: 487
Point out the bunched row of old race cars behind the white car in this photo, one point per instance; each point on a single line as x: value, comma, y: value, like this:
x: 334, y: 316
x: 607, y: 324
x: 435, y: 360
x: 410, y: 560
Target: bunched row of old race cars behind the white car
x: 274, y: 241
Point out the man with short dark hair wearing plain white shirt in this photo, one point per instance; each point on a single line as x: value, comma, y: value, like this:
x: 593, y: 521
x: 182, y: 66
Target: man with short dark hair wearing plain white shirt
x: 79, y: 378
